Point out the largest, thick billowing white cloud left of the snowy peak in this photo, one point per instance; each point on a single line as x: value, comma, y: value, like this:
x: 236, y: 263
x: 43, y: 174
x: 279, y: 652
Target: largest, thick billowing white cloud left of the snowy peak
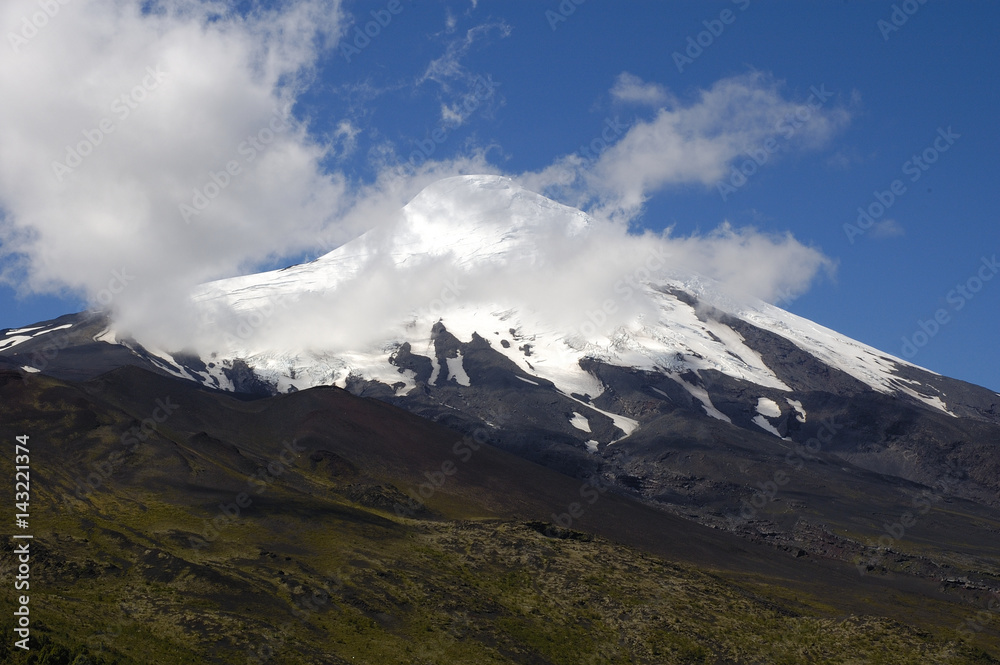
x: 141, y: 107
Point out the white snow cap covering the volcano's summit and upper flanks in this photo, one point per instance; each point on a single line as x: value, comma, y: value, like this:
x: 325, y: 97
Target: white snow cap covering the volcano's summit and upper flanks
x: 483, y: 256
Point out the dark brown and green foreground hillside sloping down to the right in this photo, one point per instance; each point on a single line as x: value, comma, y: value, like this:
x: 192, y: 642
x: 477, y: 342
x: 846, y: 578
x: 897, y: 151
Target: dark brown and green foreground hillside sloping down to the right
x: 215, y: 540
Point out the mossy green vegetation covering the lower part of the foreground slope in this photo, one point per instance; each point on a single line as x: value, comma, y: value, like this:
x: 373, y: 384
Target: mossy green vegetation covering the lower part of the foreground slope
x: 408, y: 591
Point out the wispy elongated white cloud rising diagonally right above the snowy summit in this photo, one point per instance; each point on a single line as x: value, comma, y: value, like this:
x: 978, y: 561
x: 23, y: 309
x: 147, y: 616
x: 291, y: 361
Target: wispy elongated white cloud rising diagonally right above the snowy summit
x: 696, y: 142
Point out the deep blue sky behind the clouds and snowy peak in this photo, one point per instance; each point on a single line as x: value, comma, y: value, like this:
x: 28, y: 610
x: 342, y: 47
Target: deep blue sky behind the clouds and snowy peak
x: 558, y: 84
